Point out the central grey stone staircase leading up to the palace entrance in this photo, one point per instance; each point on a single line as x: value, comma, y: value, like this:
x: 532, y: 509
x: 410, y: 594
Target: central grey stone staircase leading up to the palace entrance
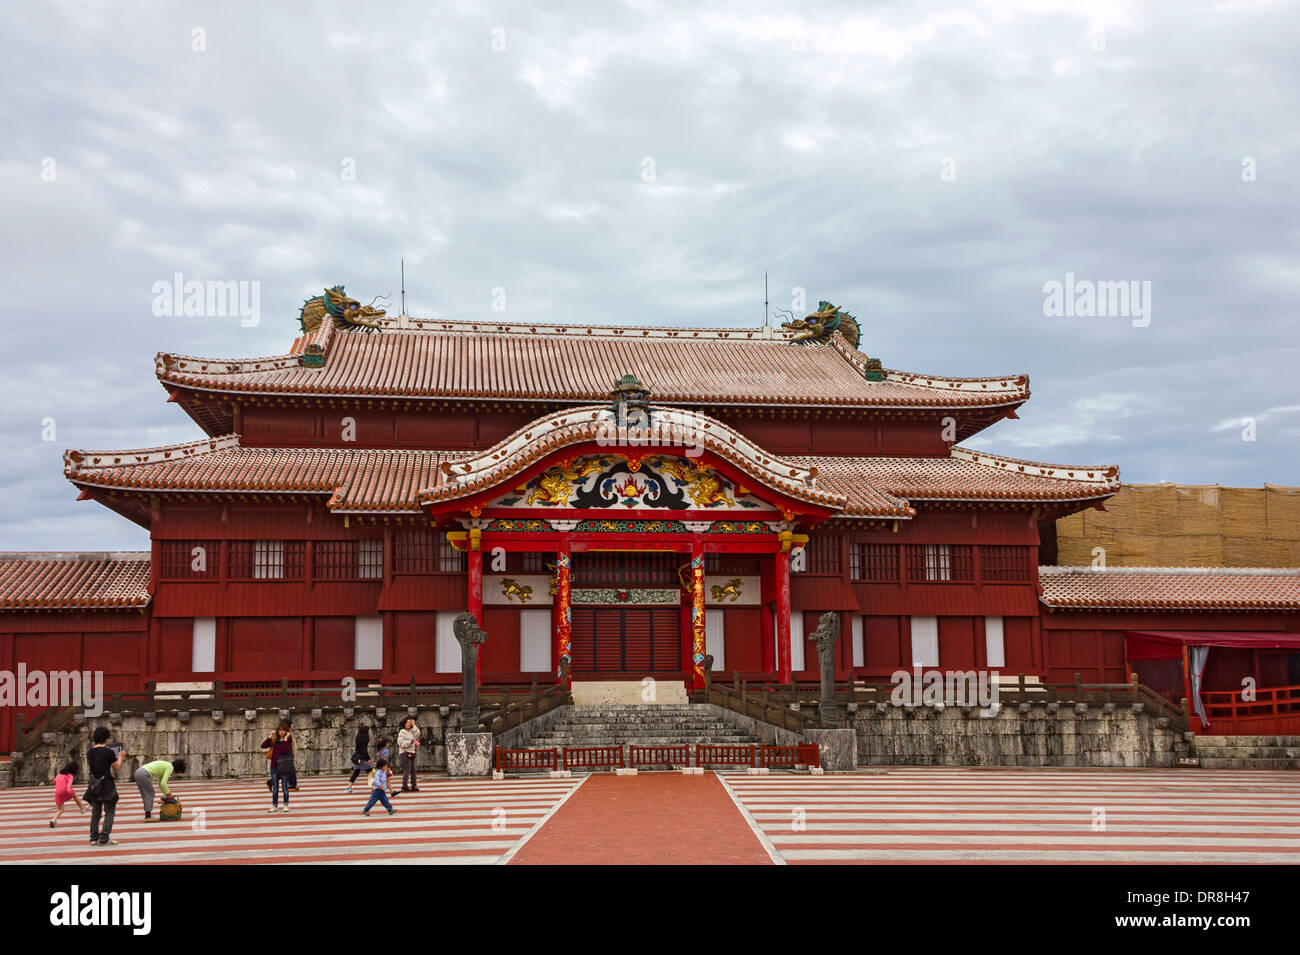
x: 645, y: 724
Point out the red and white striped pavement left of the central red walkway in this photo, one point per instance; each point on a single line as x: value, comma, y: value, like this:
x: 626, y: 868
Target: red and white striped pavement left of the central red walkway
x: 448, y: 822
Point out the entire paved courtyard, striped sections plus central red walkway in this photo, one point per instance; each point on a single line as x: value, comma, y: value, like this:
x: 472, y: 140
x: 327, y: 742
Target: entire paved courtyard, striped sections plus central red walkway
x: 899, y: 815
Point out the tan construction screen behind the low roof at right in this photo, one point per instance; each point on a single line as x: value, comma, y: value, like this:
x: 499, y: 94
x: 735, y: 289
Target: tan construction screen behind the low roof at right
x: 1188, y: 526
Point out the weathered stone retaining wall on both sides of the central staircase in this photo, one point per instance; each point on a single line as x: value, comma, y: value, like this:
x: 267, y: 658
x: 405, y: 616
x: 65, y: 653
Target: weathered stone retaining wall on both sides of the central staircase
x: 1095, y: 737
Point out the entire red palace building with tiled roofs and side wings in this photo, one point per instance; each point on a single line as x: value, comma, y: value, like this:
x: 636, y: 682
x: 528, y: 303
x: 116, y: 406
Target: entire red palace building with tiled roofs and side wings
x: 617, y: 503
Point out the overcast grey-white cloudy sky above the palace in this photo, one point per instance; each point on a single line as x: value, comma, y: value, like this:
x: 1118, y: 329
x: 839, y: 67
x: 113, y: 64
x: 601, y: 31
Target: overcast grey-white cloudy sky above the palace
x: 931, y: 167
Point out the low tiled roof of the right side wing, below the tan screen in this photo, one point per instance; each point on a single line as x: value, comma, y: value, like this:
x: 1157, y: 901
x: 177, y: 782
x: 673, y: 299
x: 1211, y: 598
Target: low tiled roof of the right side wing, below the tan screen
x: 1171, y: 588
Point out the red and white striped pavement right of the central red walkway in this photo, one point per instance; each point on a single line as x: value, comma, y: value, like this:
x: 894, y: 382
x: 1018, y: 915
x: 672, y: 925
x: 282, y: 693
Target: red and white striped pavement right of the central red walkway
x: 1017, y: 817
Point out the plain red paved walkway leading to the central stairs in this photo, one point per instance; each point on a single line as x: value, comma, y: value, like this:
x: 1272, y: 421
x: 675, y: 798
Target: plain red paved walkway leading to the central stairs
x: 653, y: 819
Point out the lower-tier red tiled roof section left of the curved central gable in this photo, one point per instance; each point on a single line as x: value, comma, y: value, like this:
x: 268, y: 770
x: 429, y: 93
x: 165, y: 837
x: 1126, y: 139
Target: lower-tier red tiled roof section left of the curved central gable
x: 356, y: 479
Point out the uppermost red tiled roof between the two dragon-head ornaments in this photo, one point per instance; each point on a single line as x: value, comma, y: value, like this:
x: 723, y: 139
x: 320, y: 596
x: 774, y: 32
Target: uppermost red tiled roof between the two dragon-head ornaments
x: 480, y: 361
